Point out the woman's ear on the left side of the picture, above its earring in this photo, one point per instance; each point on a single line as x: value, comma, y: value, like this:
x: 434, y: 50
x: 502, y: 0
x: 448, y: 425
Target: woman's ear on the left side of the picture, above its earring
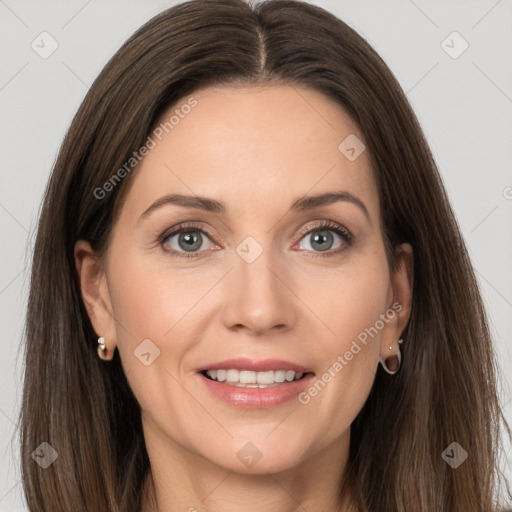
x: 95, y: 292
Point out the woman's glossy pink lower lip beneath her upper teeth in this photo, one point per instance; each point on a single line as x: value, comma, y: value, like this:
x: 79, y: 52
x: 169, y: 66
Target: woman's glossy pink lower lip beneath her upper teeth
x: 256, y: 398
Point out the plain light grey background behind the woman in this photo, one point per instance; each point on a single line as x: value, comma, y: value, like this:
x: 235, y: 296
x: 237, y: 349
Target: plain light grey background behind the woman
x: 464, y: 105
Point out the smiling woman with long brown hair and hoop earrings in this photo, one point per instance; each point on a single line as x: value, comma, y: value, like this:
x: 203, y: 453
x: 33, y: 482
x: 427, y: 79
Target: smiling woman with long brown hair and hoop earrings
x: 182, y: 240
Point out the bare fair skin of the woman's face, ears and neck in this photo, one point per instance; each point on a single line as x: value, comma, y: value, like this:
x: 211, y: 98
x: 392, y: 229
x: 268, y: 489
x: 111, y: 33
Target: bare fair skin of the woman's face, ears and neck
x: 257, y: 149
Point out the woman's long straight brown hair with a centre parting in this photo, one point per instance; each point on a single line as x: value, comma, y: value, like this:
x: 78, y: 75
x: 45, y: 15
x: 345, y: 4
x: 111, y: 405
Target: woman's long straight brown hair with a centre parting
x: 446, y: 390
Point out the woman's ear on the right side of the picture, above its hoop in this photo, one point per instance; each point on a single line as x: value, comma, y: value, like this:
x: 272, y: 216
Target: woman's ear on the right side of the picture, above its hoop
x: 401, y: 301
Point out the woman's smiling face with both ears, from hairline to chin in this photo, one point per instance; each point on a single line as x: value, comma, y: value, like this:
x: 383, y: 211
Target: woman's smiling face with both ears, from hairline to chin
x: 261, y: 272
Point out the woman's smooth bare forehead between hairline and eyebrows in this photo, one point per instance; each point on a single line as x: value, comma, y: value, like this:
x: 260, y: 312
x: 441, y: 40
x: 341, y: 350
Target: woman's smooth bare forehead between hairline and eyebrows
x: 249, y: 145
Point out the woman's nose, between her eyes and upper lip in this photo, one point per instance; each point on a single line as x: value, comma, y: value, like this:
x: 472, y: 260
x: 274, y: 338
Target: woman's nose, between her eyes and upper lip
x: 259, y: 296
